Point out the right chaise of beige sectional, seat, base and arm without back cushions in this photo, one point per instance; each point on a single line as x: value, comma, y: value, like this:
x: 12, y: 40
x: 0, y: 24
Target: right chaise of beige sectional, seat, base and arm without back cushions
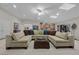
x: 62, y: 43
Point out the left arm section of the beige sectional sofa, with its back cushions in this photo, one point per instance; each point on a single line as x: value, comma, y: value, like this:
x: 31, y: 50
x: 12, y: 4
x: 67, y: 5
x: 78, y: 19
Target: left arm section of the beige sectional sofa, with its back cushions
x: 17, y: 40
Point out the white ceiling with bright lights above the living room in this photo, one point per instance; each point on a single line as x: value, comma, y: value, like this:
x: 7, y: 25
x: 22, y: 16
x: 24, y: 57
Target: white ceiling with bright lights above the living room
x: 25, y: 11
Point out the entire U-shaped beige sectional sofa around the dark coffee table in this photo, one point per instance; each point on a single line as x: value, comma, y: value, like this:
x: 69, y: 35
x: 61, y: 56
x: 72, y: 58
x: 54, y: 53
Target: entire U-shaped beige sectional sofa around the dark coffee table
x: 19, y: 40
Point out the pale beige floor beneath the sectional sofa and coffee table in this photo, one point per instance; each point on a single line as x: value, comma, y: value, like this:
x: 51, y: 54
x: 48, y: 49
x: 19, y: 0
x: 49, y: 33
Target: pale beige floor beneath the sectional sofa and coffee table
x: 32, y: 51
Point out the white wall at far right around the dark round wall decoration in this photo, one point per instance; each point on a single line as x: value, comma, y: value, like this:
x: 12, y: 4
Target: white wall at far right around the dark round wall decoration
x: 71, y: 21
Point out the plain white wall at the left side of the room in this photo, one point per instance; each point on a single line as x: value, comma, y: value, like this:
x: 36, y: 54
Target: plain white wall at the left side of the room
x: 6, y: 23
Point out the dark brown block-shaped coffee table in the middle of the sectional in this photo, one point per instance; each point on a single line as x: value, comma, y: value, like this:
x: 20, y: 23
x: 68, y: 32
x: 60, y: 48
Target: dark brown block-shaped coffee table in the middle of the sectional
x: 41, y: 44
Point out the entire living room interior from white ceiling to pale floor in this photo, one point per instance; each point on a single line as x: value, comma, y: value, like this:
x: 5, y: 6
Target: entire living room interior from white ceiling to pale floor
x: 39, y: 28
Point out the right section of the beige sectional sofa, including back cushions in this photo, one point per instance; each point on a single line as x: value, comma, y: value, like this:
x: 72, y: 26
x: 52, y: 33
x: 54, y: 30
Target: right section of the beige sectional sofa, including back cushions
x: 62, y: 40
